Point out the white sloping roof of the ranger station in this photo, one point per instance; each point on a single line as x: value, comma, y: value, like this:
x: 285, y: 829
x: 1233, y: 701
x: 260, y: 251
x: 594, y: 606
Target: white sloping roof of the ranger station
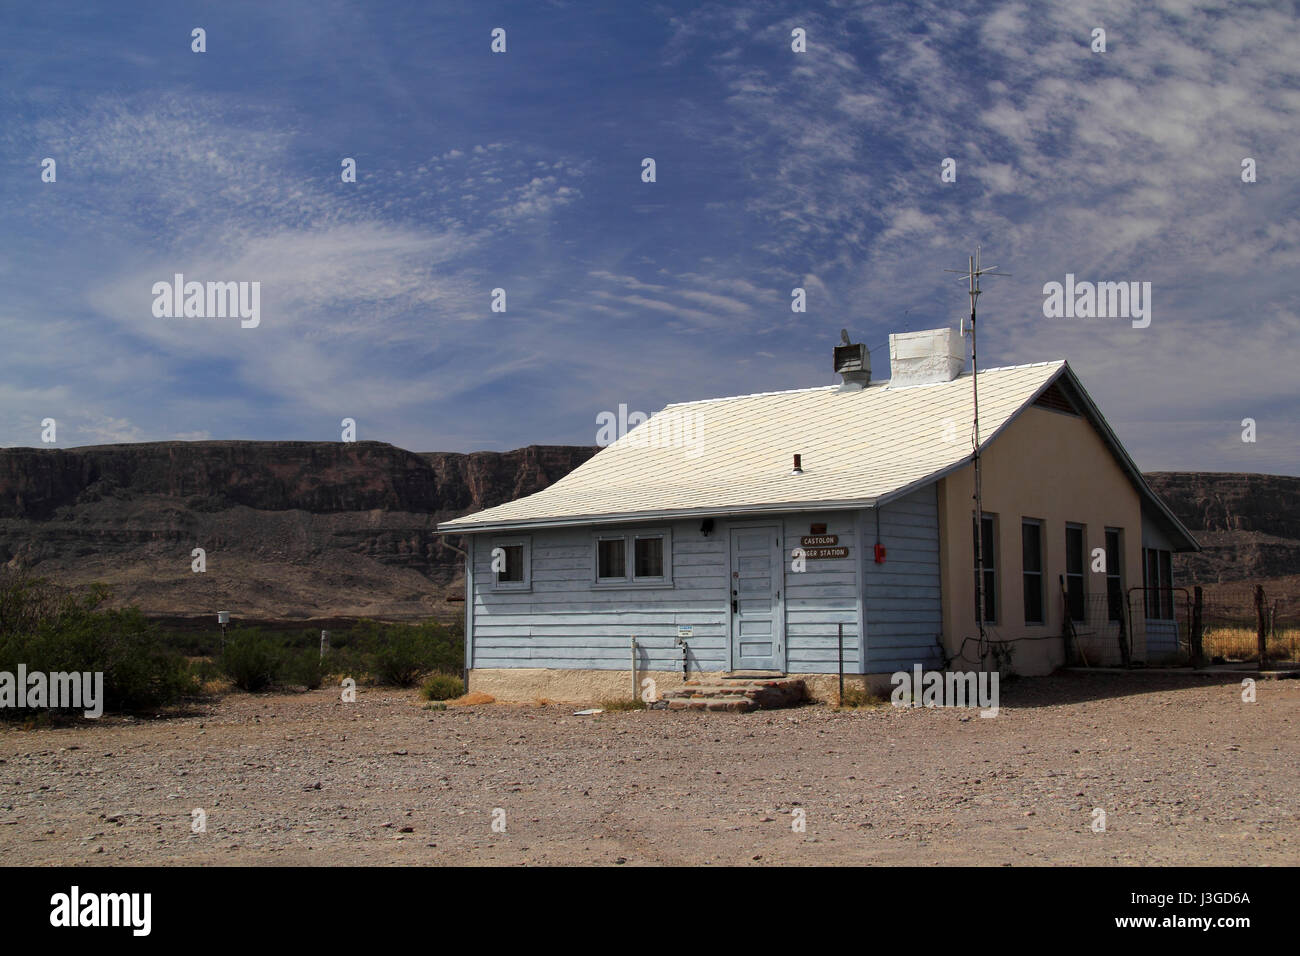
x: 729, y: 456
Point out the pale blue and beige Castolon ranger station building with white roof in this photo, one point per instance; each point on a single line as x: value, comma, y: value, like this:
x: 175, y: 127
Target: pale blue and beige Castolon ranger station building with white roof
x: 699, y: 537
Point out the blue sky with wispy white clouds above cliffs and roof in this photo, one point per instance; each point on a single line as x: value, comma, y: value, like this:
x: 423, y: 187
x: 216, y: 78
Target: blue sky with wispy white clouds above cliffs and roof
x: 523, y: 171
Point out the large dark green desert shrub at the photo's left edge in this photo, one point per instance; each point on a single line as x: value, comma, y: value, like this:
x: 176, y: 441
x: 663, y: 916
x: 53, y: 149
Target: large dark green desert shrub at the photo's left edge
x: 51, y: 631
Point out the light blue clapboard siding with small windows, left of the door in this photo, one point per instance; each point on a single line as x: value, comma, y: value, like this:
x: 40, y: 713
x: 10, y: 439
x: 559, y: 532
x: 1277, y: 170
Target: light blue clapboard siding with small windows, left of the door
x: 566, y: 622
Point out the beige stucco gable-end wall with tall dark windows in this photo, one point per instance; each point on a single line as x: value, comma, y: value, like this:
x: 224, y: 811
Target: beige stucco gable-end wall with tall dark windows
x: 1056, y: 469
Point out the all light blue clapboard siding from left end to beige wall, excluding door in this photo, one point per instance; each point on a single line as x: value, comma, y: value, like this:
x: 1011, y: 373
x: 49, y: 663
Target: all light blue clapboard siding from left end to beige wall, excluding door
x: 566, y: 622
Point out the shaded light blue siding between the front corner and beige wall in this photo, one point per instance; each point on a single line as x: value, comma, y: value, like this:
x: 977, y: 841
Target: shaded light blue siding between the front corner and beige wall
x: 902, y: 596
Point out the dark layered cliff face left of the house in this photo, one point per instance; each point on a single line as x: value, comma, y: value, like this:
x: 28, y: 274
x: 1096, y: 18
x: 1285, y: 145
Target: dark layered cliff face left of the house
x: 291, y: 530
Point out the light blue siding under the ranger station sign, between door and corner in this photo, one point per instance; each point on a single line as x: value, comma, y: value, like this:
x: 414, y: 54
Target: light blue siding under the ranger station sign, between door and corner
x: 824, y: 596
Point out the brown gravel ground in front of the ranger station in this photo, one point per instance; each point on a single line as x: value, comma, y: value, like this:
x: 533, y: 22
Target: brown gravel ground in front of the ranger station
x: 1186, y: 773
